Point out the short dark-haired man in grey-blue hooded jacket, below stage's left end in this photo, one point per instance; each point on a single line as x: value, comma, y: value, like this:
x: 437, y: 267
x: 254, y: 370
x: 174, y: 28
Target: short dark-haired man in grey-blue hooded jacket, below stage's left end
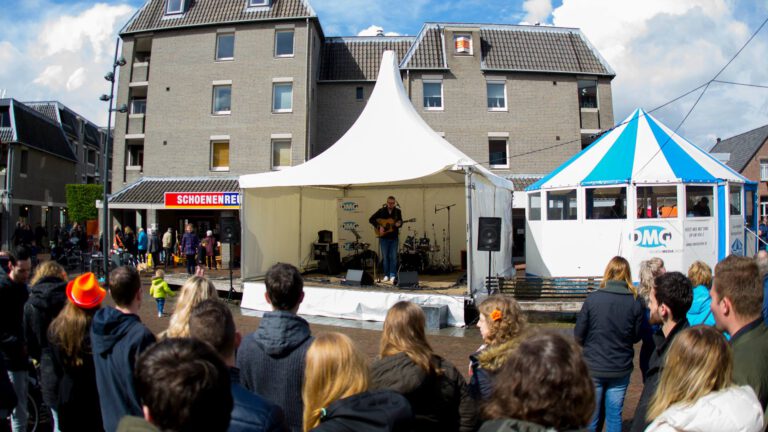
x: 271, y: 359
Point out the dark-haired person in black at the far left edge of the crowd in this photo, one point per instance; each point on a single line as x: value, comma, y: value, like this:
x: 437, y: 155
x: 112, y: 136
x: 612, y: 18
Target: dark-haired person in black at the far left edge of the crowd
x: 13, y: 297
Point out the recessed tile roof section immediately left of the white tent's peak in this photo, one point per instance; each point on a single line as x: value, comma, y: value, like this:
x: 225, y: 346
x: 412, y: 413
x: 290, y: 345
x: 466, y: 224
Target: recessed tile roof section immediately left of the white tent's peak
x: 358, y: 58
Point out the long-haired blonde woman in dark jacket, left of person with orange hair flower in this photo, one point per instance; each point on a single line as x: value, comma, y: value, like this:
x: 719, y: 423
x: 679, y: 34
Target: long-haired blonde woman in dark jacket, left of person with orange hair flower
x: 436, y: 390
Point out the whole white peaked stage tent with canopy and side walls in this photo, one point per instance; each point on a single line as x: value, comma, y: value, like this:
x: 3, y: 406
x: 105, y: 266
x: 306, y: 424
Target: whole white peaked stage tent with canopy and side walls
x: 389, y: 150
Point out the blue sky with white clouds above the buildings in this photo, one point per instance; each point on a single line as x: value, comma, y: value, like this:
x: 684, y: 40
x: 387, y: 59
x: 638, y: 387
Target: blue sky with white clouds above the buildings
x: 659, y: 49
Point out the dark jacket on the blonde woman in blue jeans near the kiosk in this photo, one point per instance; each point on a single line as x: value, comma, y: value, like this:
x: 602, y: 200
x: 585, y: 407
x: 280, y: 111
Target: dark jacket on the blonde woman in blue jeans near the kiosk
x: 607, y: 327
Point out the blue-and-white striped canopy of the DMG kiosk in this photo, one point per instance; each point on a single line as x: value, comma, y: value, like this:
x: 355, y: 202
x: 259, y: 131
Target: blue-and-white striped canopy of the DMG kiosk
x: 639, y: 150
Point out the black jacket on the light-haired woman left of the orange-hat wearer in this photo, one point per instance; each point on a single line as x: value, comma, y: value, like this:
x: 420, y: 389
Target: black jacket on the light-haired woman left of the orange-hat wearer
x: 46, y: 299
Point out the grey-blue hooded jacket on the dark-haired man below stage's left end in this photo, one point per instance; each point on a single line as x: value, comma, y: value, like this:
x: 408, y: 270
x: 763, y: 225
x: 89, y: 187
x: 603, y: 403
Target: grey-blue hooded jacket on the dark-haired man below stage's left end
x: 271, y: 362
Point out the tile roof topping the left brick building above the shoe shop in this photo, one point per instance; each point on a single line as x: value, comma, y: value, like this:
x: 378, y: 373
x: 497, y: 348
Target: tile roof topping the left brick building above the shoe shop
x: 151, y: 17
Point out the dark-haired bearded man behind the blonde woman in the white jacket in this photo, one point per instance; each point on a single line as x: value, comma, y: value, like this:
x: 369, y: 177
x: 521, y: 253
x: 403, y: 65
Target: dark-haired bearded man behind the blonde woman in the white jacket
x: 670, y: 301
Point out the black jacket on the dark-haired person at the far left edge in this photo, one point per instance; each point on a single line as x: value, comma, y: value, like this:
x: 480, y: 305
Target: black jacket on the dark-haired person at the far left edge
x: 13, y: 296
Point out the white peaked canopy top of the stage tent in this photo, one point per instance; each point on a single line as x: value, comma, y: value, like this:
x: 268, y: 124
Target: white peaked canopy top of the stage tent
x: 388, y: 144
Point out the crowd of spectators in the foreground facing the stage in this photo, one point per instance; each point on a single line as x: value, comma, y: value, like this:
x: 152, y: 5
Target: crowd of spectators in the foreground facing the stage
x: 702, y: 359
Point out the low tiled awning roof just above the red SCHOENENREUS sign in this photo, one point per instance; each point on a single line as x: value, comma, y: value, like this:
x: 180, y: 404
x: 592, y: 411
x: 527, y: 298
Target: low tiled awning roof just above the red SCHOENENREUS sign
x: 151, y: 190
